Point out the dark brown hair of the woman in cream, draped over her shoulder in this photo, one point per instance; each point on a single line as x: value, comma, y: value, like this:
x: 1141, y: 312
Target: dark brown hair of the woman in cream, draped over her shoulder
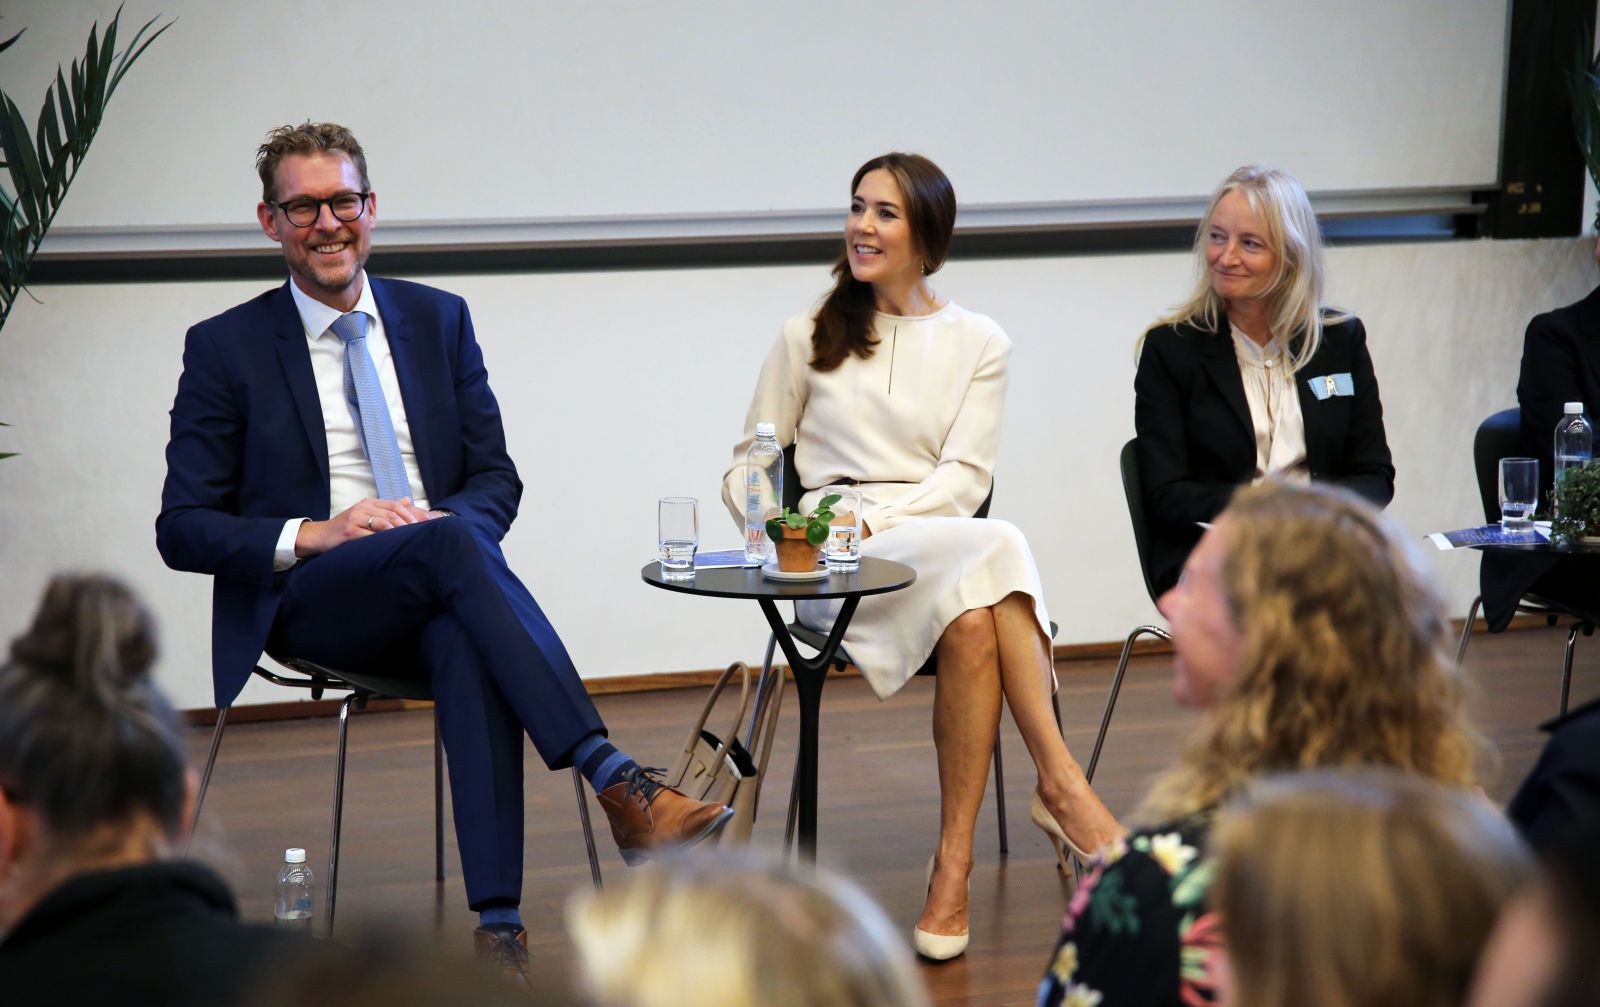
x: 844, y: 323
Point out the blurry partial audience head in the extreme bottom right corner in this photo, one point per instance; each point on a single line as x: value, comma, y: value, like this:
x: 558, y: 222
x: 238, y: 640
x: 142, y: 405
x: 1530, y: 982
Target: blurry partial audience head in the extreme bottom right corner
x: 1546, y: 947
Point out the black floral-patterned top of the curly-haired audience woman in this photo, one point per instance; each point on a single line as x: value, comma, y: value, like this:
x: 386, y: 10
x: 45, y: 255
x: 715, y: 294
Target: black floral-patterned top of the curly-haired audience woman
x: 1138, y: 931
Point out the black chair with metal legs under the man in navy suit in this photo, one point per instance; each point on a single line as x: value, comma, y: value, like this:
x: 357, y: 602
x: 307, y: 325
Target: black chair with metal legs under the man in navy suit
x: 364, y: 689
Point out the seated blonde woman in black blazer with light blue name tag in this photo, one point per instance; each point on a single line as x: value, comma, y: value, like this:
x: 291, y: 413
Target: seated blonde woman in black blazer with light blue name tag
x: 1254, y: 377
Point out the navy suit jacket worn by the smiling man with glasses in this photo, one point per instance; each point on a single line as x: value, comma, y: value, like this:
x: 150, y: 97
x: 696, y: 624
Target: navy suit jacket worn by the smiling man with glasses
x: 249, y: 449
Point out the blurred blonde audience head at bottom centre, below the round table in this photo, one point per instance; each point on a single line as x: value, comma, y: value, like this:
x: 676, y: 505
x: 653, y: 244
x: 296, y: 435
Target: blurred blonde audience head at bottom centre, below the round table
x: 740, y: 929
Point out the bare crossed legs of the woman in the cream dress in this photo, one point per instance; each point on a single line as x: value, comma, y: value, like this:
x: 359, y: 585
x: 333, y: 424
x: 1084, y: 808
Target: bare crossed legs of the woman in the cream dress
x: 986, y: 656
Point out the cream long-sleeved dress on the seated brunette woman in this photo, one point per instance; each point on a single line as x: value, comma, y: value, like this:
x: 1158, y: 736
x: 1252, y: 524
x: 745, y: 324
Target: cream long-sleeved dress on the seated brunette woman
x: 918, y: 425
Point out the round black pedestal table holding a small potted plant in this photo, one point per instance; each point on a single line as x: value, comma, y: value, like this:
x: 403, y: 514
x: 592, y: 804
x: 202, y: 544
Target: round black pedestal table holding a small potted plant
x: 874, y: 577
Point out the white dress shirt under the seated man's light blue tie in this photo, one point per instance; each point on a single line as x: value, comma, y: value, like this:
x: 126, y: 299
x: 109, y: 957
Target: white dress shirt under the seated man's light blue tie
x: 350, y: 471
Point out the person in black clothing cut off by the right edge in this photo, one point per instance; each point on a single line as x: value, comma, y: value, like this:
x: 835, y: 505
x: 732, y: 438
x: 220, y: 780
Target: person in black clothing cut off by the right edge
x: 1561, y: 364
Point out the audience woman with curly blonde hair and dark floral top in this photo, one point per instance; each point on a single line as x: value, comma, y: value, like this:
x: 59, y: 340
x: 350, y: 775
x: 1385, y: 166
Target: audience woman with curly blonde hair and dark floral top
x: 1310, y: 636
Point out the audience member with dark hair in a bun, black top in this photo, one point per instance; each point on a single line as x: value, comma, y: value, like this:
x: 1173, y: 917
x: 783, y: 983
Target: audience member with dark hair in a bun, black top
x: 94, y: 801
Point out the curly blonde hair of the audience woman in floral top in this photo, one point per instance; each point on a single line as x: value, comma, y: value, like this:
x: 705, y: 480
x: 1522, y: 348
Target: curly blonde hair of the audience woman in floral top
x: 1346, y: 656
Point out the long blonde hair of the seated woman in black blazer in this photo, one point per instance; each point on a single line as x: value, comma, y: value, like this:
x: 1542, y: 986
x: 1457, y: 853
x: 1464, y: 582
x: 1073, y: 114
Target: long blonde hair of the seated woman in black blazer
x: 1297, y: 289
